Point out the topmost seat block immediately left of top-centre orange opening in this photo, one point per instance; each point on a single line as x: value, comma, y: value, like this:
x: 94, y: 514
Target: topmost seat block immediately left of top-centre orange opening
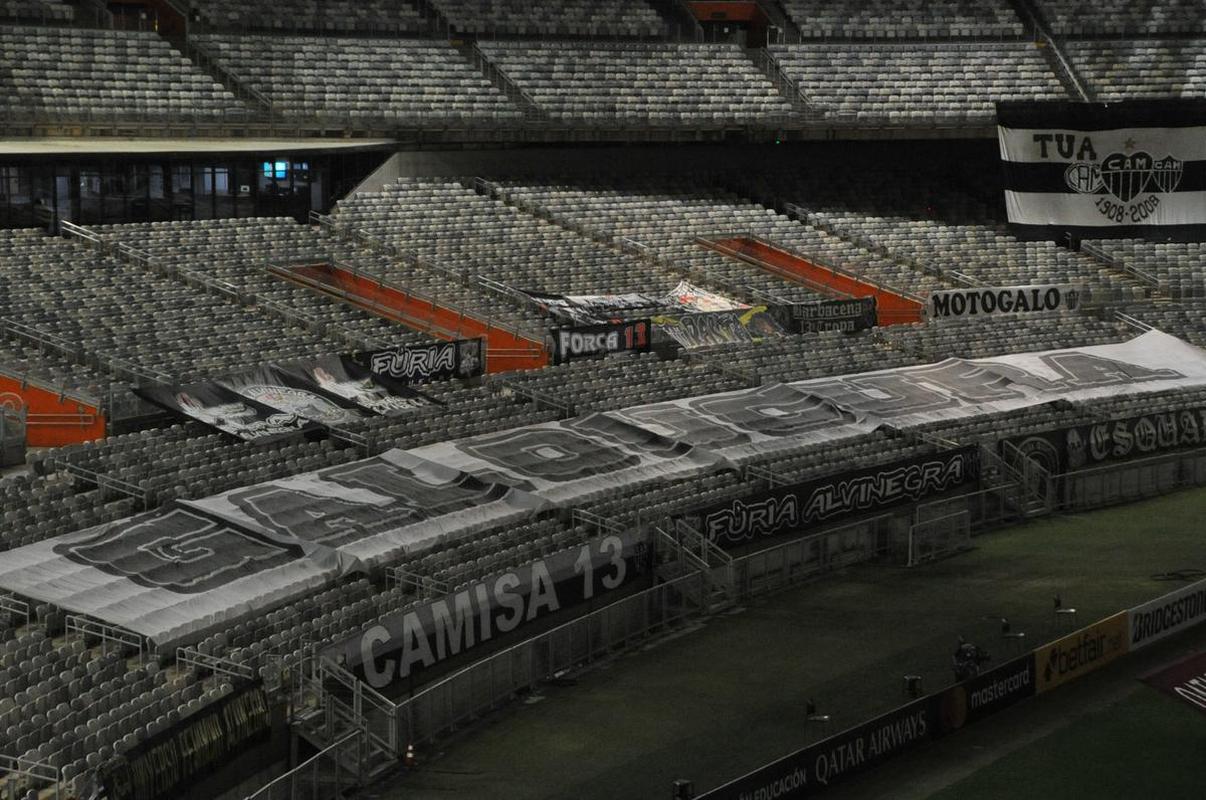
x: 553, y: 17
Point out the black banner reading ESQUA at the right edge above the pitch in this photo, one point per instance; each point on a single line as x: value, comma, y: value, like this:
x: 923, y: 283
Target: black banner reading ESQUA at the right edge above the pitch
x: 1137, y: 437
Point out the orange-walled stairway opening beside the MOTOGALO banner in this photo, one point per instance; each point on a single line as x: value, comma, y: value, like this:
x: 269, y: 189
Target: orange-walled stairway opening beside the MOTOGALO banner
x: 893, y: 307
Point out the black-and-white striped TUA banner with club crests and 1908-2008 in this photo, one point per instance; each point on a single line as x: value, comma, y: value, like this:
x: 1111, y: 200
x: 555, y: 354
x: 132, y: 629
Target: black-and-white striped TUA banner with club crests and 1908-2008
x: 1098, y: 171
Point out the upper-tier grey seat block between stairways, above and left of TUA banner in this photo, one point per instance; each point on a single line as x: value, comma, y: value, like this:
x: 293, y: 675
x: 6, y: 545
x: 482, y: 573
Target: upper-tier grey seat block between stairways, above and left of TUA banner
x: 918, y: 84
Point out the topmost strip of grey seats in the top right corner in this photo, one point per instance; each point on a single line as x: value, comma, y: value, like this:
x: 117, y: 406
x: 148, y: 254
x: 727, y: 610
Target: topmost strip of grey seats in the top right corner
x: 1144, y: 17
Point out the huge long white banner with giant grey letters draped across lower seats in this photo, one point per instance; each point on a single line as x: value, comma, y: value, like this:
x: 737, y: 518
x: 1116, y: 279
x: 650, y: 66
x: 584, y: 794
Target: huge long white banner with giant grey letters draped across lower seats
x: 175, y: 574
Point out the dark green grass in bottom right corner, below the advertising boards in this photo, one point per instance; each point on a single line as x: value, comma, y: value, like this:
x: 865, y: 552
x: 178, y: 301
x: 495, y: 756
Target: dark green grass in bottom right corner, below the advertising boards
x: 1146, y: 748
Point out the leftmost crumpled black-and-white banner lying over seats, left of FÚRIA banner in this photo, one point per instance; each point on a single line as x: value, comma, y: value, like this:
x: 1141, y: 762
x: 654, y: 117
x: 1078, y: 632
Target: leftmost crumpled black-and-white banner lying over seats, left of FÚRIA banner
x: 229, y: 412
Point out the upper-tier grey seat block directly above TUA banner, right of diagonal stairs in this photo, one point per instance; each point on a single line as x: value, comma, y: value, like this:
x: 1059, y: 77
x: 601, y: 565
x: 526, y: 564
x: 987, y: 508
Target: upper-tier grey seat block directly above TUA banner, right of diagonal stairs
x: 1125, y: 71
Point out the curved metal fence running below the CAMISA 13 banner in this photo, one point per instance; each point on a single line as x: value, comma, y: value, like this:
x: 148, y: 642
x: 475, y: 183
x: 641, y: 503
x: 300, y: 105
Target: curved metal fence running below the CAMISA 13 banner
x: 494, y: 682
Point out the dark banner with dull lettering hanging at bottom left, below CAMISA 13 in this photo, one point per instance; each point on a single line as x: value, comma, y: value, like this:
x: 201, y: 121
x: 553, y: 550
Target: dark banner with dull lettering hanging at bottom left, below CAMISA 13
x: 162, y: 767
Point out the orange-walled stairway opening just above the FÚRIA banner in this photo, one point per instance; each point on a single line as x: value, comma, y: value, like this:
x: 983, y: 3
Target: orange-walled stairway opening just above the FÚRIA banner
x: 506, y: 349
